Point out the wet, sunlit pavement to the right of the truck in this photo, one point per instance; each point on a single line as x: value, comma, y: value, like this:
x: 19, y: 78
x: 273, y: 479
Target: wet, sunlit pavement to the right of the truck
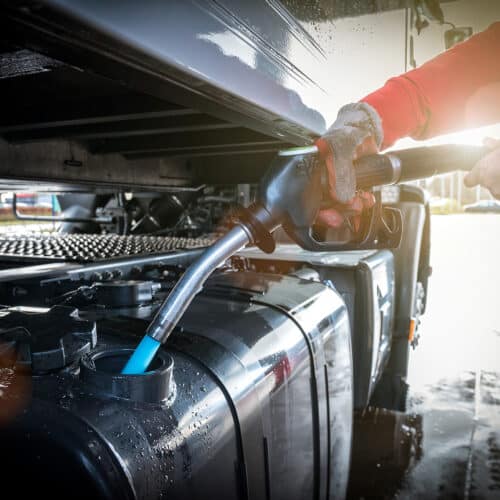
x: 447, y: 445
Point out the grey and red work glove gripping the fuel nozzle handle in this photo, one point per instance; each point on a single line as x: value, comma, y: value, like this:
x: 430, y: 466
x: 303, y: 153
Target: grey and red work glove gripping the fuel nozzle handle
x: 356, y: 132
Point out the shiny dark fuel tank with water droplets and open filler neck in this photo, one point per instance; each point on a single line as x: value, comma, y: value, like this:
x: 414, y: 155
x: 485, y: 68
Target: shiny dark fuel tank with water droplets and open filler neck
x: 251, y: 398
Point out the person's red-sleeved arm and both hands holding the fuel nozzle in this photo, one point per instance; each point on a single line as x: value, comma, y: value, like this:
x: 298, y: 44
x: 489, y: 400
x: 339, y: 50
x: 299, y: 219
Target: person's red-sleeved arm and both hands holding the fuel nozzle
x: 458, y: 89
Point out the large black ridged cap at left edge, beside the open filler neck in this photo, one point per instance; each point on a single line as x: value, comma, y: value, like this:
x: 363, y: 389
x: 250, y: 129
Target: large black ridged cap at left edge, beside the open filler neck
x: 41, y: 340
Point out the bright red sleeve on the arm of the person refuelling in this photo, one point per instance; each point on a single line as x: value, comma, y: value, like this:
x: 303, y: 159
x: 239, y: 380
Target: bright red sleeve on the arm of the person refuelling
x: 458, y: 89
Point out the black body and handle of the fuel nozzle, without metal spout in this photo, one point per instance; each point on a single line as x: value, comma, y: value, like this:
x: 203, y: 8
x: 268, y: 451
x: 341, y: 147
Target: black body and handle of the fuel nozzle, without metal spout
x: 293, y: 189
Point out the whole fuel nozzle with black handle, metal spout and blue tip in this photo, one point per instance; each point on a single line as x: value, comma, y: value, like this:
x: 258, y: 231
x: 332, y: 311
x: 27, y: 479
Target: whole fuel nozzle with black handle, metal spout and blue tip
x: 291, y: 194
